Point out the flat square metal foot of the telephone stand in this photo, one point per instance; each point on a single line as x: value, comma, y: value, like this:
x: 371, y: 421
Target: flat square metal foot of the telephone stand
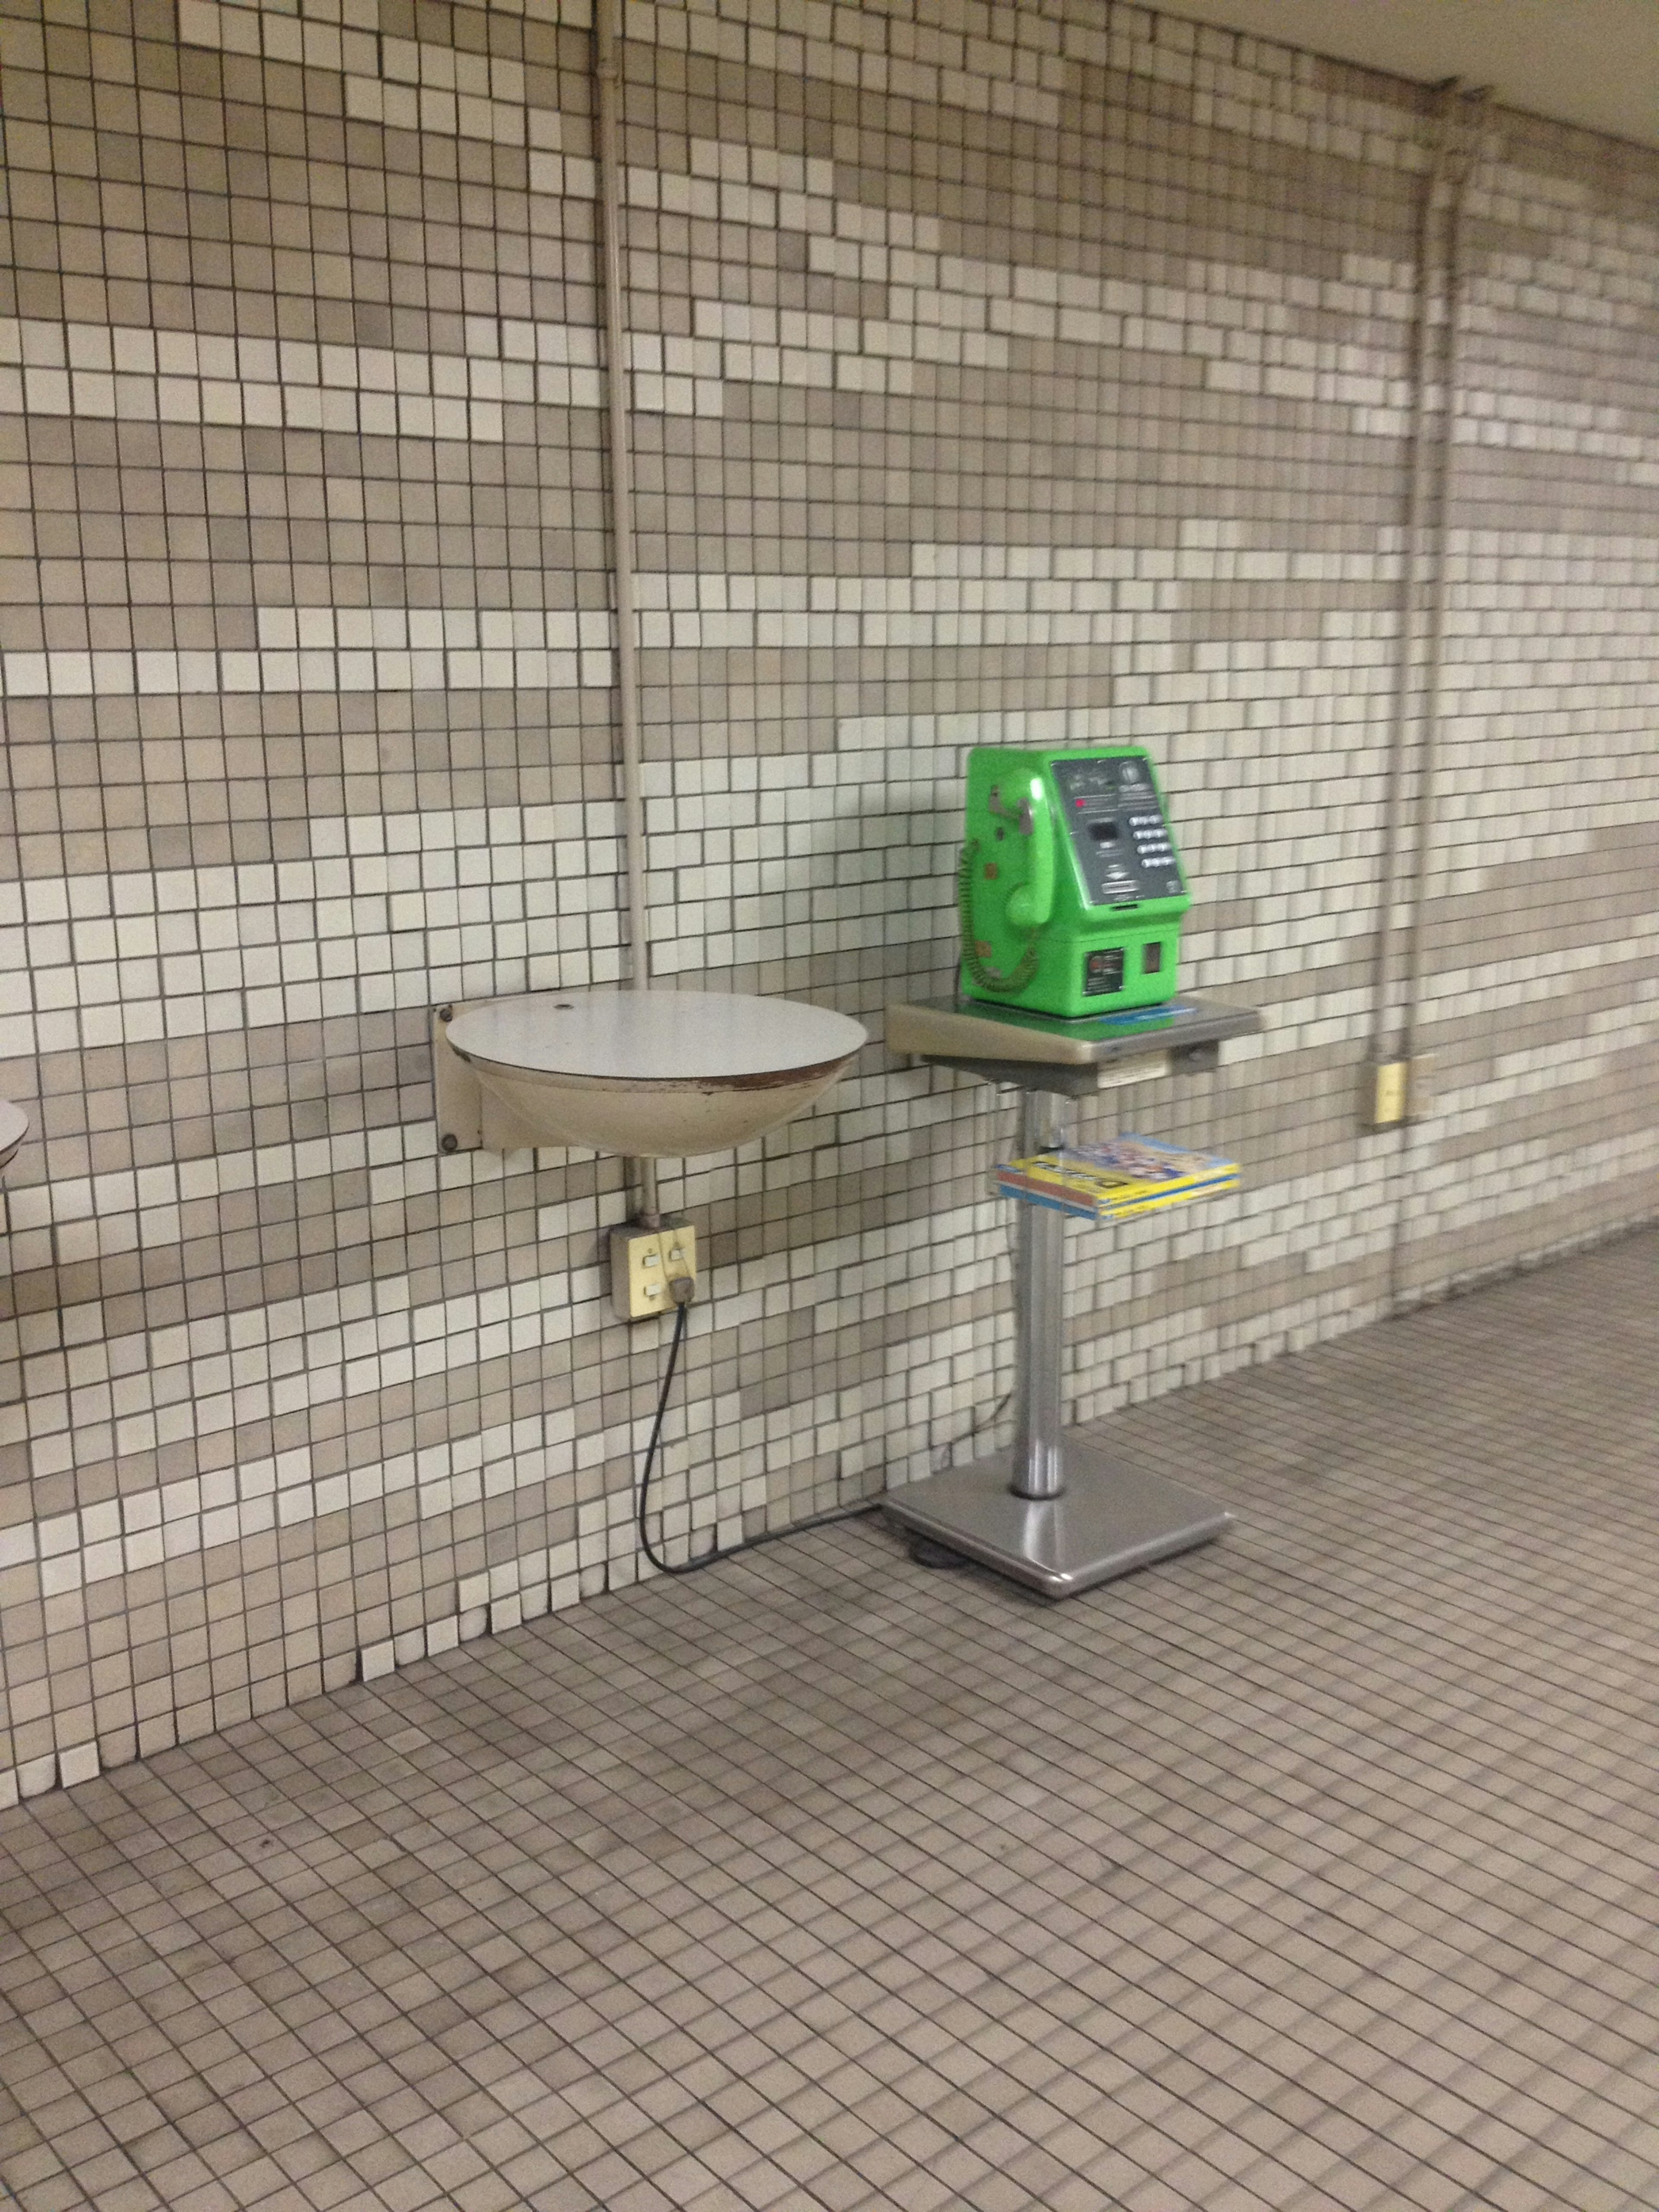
x: 1107, y: 1521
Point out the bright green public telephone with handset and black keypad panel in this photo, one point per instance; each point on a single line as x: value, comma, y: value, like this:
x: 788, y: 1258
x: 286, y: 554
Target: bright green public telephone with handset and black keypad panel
x: 1070, y: 888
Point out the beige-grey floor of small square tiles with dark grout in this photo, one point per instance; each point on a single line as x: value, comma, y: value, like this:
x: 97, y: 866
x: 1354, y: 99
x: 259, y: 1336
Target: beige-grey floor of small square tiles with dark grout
x: 1319, y: 1868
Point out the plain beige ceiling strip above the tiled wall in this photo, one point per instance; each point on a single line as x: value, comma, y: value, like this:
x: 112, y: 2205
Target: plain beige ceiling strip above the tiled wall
x: 1589, y: 63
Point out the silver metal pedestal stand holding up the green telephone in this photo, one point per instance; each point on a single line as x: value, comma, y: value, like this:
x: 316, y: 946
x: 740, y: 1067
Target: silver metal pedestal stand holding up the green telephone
x: 1058, y: 1512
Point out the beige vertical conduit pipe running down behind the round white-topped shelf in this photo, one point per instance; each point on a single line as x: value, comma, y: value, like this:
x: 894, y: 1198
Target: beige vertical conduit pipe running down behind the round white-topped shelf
x: 607, y: 83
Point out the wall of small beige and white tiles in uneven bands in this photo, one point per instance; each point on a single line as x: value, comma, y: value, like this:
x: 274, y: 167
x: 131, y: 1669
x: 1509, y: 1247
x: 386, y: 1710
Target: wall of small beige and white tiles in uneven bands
x: 999, y: 373
